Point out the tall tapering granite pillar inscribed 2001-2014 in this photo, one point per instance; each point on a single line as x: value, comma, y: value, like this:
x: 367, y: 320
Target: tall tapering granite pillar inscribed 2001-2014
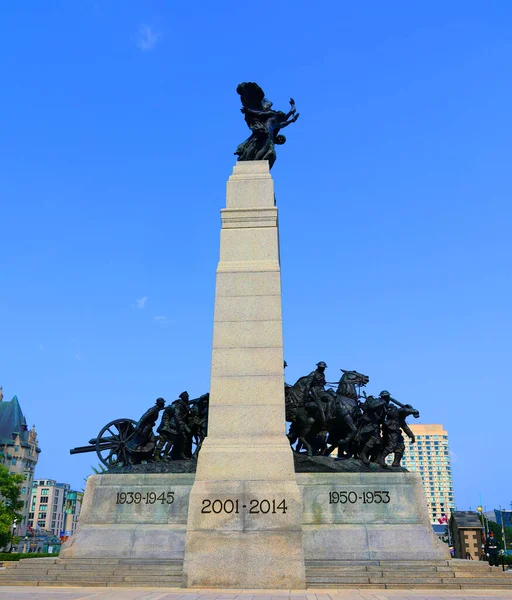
x: 244, y: 525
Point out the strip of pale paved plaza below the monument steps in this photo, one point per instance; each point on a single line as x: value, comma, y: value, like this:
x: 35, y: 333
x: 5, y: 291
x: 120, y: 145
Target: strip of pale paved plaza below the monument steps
x: 69, y: 593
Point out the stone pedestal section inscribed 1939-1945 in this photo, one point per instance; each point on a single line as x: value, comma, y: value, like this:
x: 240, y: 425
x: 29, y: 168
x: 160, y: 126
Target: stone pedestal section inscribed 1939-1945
x: 132, y: 516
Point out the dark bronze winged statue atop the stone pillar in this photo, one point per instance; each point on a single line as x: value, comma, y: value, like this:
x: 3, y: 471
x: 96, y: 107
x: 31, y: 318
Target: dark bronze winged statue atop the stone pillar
x: 264, y: 123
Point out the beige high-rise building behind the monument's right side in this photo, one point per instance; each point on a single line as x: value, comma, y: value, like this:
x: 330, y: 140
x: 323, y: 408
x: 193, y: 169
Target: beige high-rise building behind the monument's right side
x: 430, y: 456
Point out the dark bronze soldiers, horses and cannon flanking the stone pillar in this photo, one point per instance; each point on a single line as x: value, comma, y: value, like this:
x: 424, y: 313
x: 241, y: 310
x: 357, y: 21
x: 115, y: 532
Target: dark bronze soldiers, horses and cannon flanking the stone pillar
x: 367, y: 428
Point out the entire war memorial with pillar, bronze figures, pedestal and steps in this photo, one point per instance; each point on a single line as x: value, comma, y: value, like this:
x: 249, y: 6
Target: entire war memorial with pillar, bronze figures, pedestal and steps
x: 214, y: 492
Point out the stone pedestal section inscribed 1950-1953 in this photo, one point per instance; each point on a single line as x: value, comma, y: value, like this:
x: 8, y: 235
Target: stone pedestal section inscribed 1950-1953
x: 367, y: 516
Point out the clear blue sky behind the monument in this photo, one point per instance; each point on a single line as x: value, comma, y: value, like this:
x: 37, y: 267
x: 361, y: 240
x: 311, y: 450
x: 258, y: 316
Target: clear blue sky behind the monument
x: 119, y: 123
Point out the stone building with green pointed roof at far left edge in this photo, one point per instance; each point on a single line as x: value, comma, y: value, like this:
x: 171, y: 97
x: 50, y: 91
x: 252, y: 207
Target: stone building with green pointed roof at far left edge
x: 19, y: 451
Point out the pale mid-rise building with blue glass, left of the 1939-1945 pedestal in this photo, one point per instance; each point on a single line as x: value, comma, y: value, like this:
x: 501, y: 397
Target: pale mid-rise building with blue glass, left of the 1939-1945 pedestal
x: 54, y: 507
